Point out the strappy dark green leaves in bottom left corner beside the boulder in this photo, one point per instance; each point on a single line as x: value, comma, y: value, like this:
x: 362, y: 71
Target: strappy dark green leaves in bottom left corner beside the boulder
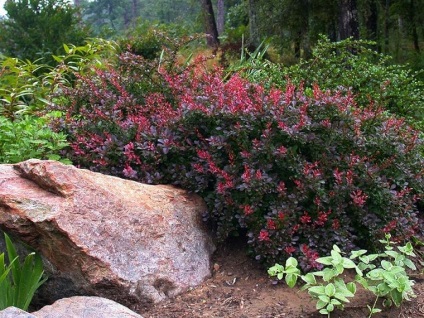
x: 19, y: 281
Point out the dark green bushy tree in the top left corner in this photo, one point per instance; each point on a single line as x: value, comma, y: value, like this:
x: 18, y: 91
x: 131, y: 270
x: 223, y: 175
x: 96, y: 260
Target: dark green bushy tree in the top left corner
x: 36, y: 29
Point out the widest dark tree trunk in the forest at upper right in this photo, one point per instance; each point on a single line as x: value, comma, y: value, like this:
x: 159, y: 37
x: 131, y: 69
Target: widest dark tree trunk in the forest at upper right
x: 348, y: 20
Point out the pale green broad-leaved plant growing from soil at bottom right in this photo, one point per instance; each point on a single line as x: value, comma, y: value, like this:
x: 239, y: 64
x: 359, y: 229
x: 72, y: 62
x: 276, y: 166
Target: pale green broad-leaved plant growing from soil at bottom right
x: 383, y: 274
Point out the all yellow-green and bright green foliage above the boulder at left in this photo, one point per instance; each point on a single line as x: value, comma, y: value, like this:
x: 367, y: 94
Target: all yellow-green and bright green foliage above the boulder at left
x: 27, y: 88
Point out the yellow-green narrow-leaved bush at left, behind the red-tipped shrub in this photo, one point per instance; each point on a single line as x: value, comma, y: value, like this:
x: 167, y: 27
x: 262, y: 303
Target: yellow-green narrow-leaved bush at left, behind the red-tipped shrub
x: 27, y: 87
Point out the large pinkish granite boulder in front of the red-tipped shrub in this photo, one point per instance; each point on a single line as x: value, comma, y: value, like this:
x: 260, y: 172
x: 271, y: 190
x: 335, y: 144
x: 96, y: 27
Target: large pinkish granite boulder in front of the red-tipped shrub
x: 134, y: 243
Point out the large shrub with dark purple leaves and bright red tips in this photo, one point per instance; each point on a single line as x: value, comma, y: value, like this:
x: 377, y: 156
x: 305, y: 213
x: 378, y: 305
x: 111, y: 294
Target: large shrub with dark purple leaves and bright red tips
x: 297, y: 173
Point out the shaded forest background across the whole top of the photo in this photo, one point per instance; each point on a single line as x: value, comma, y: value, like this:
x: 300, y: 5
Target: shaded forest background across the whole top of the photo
x: 291, y: 27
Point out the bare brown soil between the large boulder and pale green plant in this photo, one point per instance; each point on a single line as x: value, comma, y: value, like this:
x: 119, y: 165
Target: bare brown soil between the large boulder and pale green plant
x: 241, y: 288
